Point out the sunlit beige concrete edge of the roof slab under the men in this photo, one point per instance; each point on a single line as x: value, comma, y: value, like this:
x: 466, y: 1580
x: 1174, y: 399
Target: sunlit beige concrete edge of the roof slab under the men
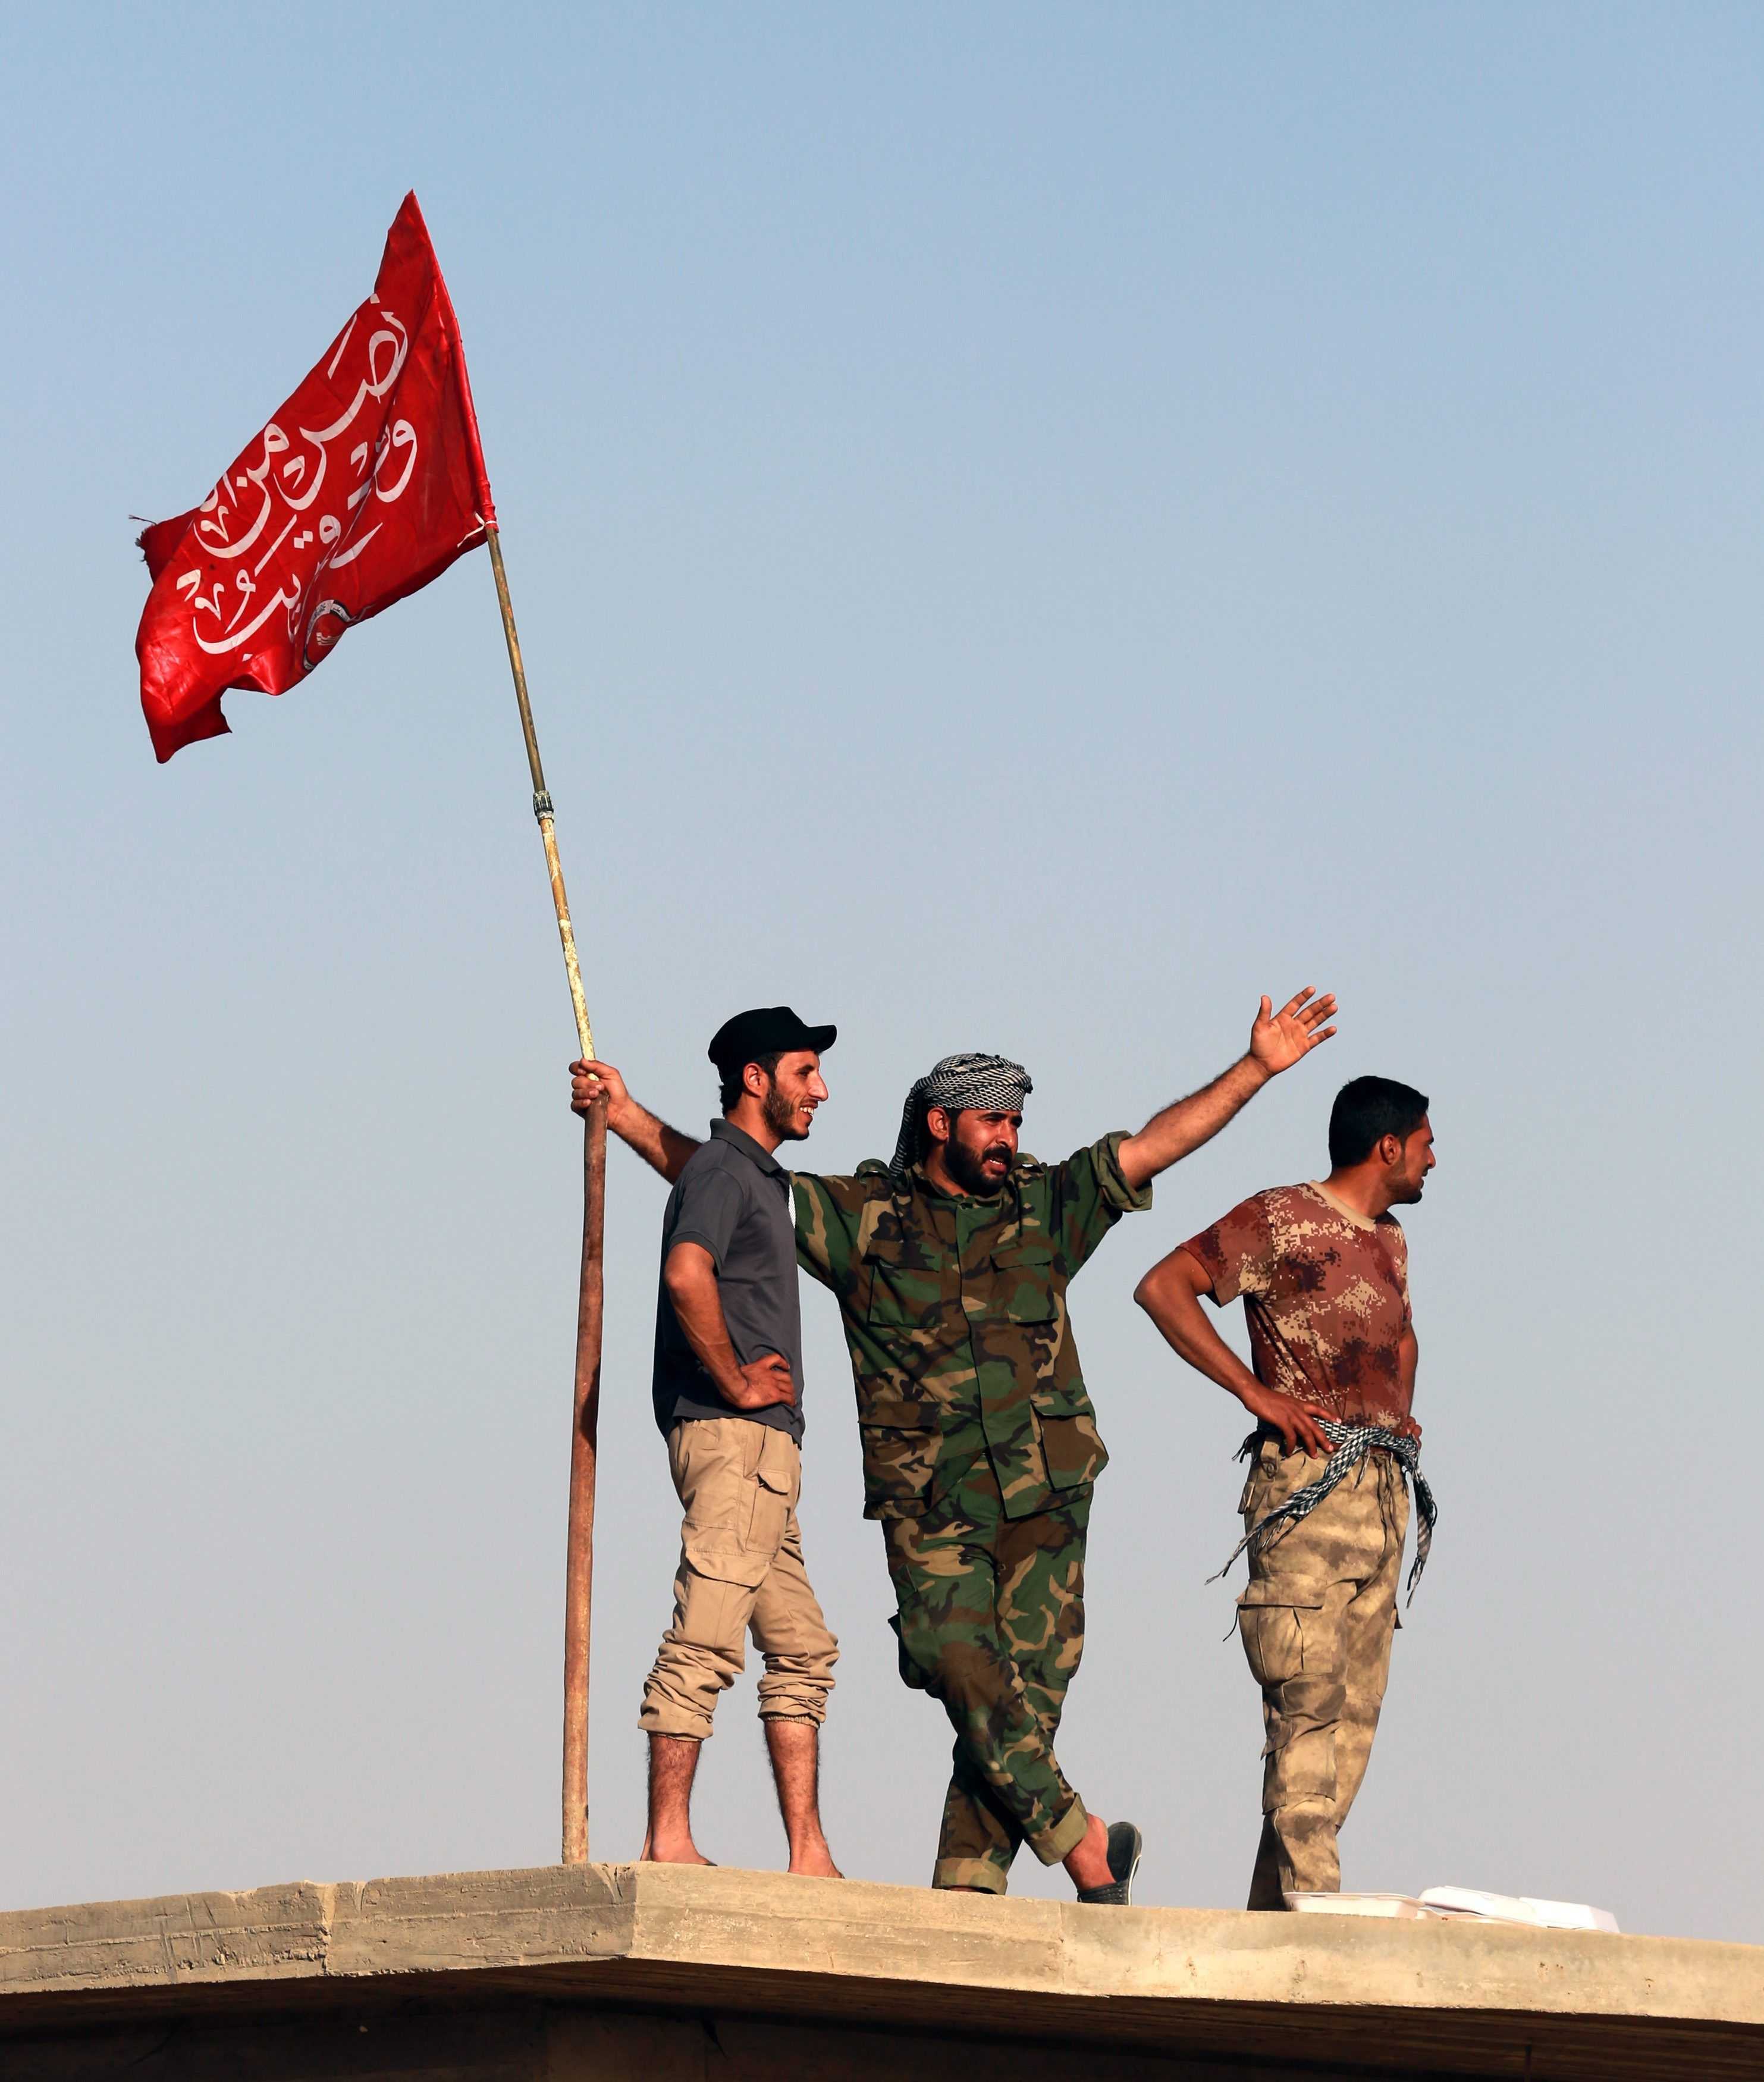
x: 524, y: 1925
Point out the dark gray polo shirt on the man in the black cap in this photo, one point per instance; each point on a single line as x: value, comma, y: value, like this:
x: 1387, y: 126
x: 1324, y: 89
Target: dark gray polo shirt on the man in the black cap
x: 734, y: 1198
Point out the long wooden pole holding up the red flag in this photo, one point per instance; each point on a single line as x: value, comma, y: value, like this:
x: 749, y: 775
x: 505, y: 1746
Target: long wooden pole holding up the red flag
x: 590, y: 1298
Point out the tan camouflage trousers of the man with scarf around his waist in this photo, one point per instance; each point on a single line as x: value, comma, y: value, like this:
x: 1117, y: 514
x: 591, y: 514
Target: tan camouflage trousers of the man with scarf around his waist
x: 1317, y: 1623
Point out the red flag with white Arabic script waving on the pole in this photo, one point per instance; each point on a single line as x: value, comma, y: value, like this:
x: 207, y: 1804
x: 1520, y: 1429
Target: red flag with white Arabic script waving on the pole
x: 368, y: 484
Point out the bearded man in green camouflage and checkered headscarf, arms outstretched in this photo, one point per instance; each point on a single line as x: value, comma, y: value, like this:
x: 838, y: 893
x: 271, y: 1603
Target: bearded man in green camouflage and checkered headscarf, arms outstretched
x: 951, y: 1267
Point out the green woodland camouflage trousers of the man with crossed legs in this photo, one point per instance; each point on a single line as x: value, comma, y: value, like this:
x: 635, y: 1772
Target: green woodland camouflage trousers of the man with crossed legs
x: 992, y: 1625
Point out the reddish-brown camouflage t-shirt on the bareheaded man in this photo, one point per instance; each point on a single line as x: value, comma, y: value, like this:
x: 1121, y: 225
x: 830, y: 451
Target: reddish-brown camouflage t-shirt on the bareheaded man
x: 1326, y: 1294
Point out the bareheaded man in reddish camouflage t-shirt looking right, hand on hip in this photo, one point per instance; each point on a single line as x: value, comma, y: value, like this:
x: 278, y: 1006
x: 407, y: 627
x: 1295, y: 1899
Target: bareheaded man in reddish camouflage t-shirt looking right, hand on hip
x: 1324, y: 1275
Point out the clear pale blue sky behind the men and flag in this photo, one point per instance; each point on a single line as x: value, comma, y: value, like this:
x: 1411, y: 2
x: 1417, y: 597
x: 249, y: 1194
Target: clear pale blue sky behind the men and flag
x: 1032, y: 528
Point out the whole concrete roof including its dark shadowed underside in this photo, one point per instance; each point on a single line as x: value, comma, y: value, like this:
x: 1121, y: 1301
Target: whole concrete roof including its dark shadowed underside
x: 709, y: 1973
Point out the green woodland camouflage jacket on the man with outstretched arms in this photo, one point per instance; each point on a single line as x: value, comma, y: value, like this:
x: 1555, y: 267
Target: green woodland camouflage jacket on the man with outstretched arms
x: 957, y: 1323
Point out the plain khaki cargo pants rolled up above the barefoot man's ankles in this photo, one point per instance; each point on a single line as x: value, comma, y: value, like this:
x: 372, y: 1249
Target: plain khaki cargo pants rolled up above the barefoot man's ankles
x: 740, y: 1569
